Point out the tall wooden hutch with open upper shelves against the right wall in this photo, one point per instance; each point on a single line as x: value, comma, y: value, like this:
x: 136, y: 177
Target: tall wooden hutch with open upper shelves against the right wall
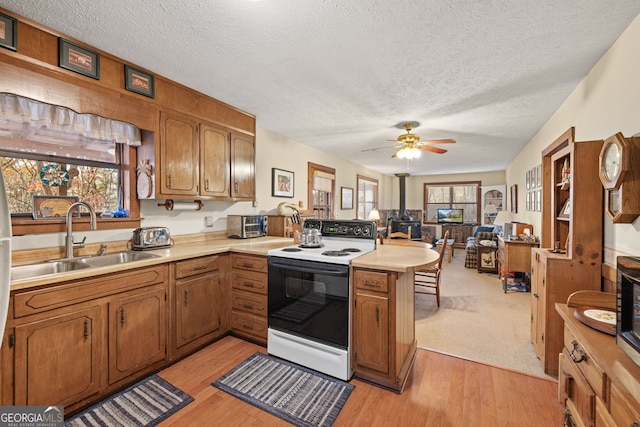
x: 572, y: 216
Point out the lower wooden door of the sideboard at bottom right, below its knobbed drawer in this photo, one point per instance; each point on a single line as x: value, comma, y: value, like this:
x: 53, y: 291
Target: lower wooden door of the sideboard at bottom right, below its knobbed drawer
x: 575, y: 388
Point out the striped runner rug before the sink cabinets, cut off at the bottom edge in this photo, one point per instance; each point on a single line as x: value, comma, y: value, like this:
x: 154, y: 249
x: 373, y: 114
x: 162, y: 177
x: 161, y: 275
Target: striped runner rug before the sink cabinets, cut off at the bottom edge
x: 145, y: 403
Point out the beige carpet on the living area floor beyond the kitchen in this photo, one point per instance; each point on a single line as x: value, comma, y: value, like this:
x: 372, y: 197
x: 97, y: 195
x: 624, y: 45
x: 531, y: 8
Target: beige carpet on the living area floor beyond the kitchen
x: 477, y: 320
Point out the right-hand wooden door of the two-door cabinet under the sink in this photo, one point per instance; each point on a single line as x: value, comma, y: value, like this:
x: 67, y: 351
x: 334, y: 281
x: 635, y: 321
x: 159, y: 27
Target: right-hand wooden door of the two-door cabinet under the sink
x: 137, y: 333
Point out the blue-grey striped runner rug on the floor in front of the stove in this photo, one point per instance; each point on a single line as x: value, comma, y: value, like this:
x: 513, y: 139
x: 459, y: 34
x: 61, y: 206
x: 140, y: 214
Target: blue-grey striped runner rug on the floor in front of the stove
x: 291, y: 392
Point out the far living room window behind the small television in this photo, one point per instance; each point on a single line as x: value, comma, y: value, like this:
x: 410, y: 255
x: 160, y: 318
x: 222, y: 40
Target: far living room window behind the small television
x: 456, y: 195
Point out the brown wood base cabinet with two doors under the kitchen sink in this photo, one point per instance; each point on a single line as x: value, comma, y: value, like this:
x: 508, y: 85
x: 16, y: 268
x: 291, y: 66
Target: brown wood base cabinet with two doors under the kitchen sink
x: 76, y: 341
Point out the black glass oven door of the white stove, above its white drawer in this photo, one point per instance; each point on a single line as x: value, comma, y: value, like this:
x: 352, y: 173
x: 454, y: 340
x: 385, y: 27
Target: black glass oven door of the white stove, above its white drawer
x: 310, y: 299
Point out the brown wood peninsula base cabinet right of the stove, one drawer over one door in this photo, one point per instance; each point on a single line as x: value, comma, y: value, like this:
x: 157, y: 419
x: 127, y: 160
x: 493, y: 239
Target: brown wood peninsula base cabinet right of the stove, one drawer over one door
x: 383, y: 324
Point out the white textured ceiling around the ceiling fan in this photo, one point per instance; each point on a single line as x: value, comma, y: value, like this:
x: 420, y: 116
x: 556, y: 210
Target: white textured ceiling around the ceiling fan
x: 341, y: 75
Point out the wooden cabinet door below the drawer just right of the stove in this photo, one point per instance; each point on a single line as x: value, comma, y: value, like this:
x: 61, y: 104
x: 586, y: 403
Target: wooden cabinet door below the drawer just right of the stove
x: 371, y: 332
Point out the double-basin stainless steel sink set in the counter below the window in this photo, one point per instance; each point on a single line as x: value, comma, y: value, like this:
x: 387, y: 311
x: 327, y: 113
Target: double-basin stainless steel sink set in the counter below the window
x: 65, y: 265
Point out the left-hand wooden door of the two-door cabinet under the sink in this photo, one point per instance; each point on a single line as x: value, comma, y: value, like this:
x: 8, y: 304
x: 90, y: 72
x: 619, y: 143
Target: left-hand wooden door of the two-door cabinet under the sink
x: 59, y: 361
